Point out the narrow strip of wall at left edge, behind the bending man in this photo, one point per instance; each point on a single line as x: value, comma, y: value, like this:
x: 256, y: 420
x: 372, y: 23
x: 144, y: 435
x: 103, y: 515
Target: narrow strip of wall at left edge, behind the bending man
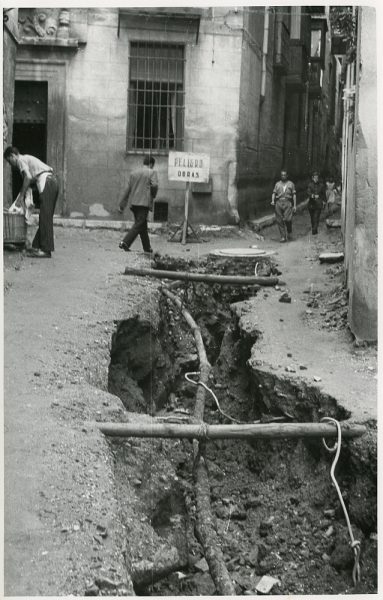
x: 10, y: 33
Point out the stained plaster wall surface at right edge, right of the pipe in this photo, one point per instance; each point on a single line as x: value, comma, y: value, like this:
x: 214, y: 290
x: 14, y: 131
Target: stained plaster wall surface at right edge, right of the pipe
x: 362, y: 276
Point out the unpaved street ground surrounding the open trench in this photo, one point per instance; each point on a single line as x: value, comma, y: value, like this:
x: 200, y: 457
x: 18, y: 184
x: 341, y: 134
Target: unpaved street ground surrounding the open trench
x: 63, y: 517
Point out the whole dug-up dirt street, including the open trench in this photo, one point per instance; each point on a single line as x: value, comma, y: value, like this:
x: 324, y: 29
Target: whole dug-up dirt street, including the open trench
x: 88, y: 515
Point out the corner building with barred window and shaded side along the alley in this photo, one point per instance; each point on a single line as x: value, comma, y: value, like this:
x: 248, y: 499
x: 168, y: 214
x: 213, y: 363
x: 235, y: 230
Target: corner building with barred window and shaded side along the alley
x: 98, y: 87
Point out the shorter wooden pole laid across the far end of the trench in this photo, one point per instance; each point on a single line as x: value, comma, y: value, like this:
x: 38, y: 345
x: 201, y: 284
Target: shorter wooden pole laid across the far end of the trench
x: 202, y: 277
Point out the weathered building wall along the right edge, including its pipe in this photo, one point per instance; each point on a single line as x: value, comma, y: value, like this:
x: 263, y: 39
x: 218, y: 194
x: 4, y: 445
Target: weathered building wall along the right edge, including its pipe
x: 360, y: 182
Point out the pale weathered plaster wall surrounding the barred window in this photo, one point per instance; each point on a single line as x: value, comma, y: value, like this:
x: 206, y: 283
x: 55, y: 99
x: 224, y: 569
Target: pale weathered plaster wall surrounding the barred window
x: 98, y: 77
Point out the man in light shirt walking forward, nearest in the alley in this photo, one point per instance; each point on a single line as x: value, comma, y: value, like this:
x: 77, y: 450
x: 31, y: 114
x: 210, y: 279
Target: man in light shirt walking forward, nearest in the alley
x: 284, y: 198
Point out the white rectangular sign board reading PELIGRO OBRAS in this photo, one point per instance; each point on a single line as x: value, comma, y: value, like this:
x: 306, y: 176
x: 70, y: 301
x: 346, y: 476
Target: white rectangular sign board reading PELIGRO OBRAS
x: 184, y: 166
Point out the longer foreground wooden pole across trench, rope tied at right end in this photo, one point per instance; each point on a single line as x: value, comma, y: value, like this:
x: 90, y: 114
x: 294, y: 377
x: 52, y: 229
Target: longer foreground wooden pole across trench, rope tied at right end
x: 202, y: 431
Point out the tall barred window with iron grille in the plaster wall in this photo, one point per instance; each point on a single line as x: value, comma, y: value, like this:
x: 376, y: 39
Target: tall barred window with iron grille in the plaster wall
x: 156, y: 97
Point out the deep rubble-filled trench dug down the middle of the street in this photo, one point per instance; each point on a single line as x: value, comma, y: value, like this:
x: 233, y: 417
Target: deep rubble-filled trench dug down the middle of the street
x: 276, y: 510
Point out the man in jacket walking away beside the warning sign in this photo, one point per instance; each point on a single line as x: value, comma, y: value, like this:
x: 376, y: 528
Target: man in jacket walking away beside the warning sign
x: 139, y: 196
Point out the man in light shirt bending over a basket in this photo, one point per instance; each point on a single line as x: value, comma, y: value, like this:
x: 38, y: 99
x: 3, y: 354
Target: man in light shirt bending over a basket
x: 37, y: 175
